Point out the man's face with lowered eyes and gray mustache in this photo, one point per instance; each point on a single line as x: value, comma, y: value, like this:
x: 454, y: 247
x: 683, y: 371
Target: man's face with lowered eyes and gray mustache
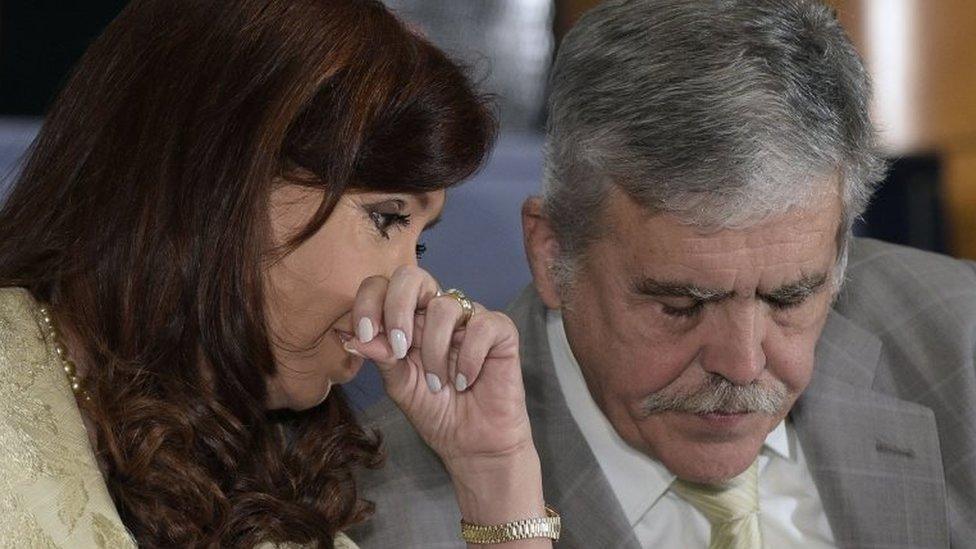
x: 696, y: 344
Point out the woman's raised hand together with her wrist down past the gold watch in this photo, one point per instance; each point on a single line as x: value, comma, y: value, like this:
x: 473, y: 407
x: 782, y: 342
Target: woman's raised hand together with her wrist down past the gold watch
x: 460, y: 385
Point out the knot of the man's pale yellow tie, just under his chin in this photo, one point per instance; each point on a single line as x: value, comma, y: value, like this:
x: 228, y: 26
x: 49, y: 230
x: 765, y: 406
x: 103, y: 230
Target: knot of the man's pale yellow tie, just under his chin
x: 734, y: 500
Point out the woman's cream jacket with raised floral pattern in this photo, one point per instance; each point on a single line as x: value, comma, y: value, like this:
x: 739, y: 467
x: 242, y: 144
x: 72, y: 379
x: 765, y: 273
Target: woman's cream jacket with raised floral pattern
x: 51, y: 491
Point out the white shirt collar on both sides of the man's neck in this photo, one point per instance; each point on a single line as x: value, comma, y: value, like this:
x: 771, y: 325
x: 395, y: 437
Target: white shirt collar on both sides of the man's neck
x: 638, y: 480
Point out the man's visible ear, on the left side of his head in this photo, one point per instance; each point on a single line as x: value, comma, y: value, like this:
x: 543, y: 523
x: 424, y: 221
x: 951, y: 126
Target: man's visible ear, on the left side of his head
x: 541, y: 249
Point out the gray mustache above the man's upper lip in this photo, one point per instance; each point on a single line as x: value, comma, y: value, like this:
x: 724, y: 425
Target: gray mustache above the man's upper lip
x: 719, y: 395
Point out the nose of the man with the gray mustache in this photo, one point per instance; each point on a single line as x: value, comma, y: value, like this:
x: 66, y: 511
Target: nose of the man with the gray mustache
x: 734, y: 348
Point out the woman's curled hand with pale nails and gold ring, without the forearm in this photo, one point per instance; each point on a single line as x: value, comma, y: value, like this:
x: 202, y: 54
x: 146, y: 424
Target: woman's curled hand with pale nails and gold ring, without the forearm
x: 459, y: 384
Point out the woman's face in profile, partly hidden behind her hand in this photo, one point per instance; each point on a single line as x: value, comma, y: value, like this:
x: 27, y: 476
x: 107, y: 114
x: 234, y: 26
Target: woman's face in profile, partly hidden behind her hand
x: 310, y: 292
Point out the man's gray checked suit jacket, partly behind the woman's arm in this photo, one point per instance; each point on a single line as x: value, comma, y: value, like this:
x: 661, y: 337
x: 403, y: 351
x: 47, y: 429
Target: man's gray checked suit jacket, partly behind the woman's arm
x: 888, y: 423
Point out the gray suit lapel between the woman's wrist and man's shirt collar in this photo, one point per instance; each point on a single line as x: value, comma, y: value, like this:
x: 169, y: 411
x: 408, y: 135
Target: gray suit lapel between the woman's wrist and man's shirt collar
x: 573, y: 481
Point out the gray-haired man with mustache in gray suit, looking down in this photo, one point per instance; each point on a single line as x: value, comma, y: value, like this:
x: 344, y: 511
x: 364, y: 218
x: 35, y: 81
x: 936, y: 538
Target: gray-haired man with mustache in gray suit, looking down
x: 711, y: 358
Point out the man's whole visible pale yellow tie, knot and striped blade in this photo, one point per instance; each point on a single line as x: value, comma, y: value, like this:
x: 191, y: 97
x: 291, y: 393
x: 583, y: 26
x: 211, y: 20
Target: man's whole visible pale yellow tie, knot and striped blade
x: 732, y: 509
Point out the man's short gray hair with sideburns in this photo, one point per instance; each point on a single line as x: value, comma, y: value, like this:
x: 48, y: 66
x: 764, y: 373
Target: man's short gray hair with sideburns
x: 720, y: 112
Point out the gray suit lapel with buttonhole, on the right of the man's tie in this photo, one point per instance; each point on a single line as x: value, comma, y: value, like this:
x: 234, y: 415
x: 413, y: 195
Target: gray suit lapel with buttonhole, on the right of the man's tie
x: 875, y: 458
